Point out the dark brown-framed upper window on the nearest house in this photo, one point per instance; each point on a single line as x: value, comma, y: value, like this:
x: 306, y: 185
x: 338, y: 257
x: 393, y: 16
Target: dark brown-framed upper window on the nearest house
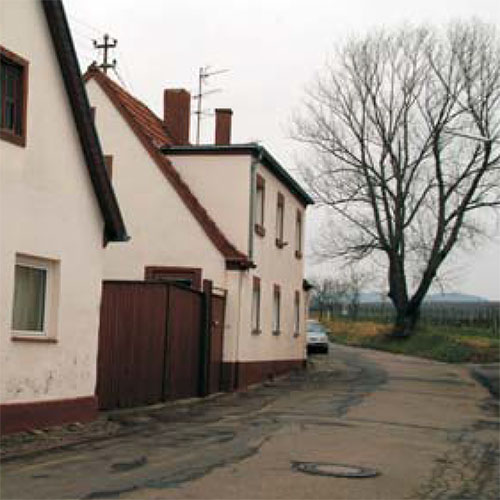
x: 13, y: 97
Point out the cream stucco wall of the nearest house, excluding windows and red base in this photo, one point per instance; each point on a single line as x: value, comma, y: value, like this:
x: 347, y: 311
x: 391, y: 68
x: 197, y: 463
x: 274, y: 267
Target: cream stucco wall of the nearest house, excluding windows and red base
x: 48, y: 209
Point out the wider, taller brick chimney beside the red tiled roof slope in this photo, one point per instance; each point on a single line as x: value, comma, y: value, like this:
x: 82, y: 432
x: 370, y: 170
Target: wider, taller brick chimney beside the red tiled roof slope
x: 176, y: 114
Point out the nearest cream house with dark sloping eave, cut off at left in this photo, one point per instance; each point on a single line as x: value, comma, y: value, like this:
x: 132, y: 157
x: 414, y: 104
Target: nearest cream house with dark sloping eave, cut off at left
x: 57, y: 210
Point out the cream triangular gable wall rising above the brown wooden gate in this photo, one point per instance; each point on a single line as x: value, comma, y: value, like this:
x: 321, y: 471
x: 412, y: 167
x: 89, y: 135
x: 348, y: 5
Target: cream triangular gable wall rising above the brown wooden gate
x: 163, y: 231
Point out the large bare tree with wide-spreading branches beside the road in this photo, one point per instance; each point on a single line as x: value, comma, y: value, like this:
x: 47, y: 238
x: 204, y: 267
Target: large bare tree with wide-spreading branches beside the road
x: 406, y: 127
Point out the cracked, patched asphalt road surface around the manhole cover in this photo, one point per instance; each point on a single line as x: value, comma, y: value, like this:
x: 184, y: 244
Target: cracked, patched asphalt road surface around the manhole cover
x: 428, y: 428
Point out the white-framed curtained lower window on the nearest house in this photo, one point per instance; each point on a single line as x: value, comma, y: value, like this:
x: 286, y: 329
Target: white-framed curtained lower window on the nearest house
x: 34, y: 296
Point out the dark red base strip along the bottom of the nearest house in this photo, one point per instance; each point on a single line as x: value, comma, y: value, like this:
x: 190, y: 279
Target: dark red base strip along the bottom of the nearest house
x: 16, y: 417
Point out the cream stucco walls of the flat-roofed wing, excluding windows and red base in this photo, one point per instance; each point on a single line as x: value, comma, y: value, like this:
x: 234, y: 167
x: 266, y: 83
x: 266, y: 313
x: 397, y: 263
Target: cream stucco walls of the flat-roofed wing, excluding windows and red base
x: 222, y: 182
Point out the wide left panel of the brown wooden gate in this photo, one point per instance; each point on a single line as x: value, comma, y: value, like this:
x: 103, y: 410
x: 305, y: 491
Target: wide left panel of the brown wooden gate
x: 132, y: 334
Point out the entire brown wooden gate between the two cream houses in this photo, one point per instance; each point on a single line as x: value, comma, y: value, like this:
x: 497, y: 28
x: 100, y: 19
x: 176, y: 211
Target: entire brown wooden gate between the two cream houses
x: 153, y: 343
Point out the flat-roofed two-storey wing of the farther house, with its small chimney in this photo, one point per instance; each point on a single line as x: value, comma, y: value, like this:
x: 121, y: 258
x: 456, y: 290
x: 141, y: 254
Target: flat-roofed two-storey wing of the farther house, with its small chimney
x: 262, y: 209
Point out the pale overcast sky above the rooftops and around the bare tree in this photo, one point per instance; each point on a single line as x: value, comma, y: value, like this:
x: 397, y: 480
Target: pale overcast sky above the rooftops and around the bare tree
x: 272, y: 49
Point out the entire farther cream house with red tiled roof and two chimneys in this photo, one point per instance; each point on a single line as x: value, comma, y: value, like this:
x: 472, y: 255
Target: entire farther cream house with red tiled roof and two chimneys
x: 228, y: 213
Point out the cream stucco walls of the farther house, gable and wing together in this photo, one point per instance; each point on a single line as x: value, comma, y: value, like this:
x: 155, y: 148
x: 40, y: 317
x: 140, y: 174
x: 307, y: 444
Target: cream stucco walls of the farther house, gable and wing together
x: 165, y: 233
